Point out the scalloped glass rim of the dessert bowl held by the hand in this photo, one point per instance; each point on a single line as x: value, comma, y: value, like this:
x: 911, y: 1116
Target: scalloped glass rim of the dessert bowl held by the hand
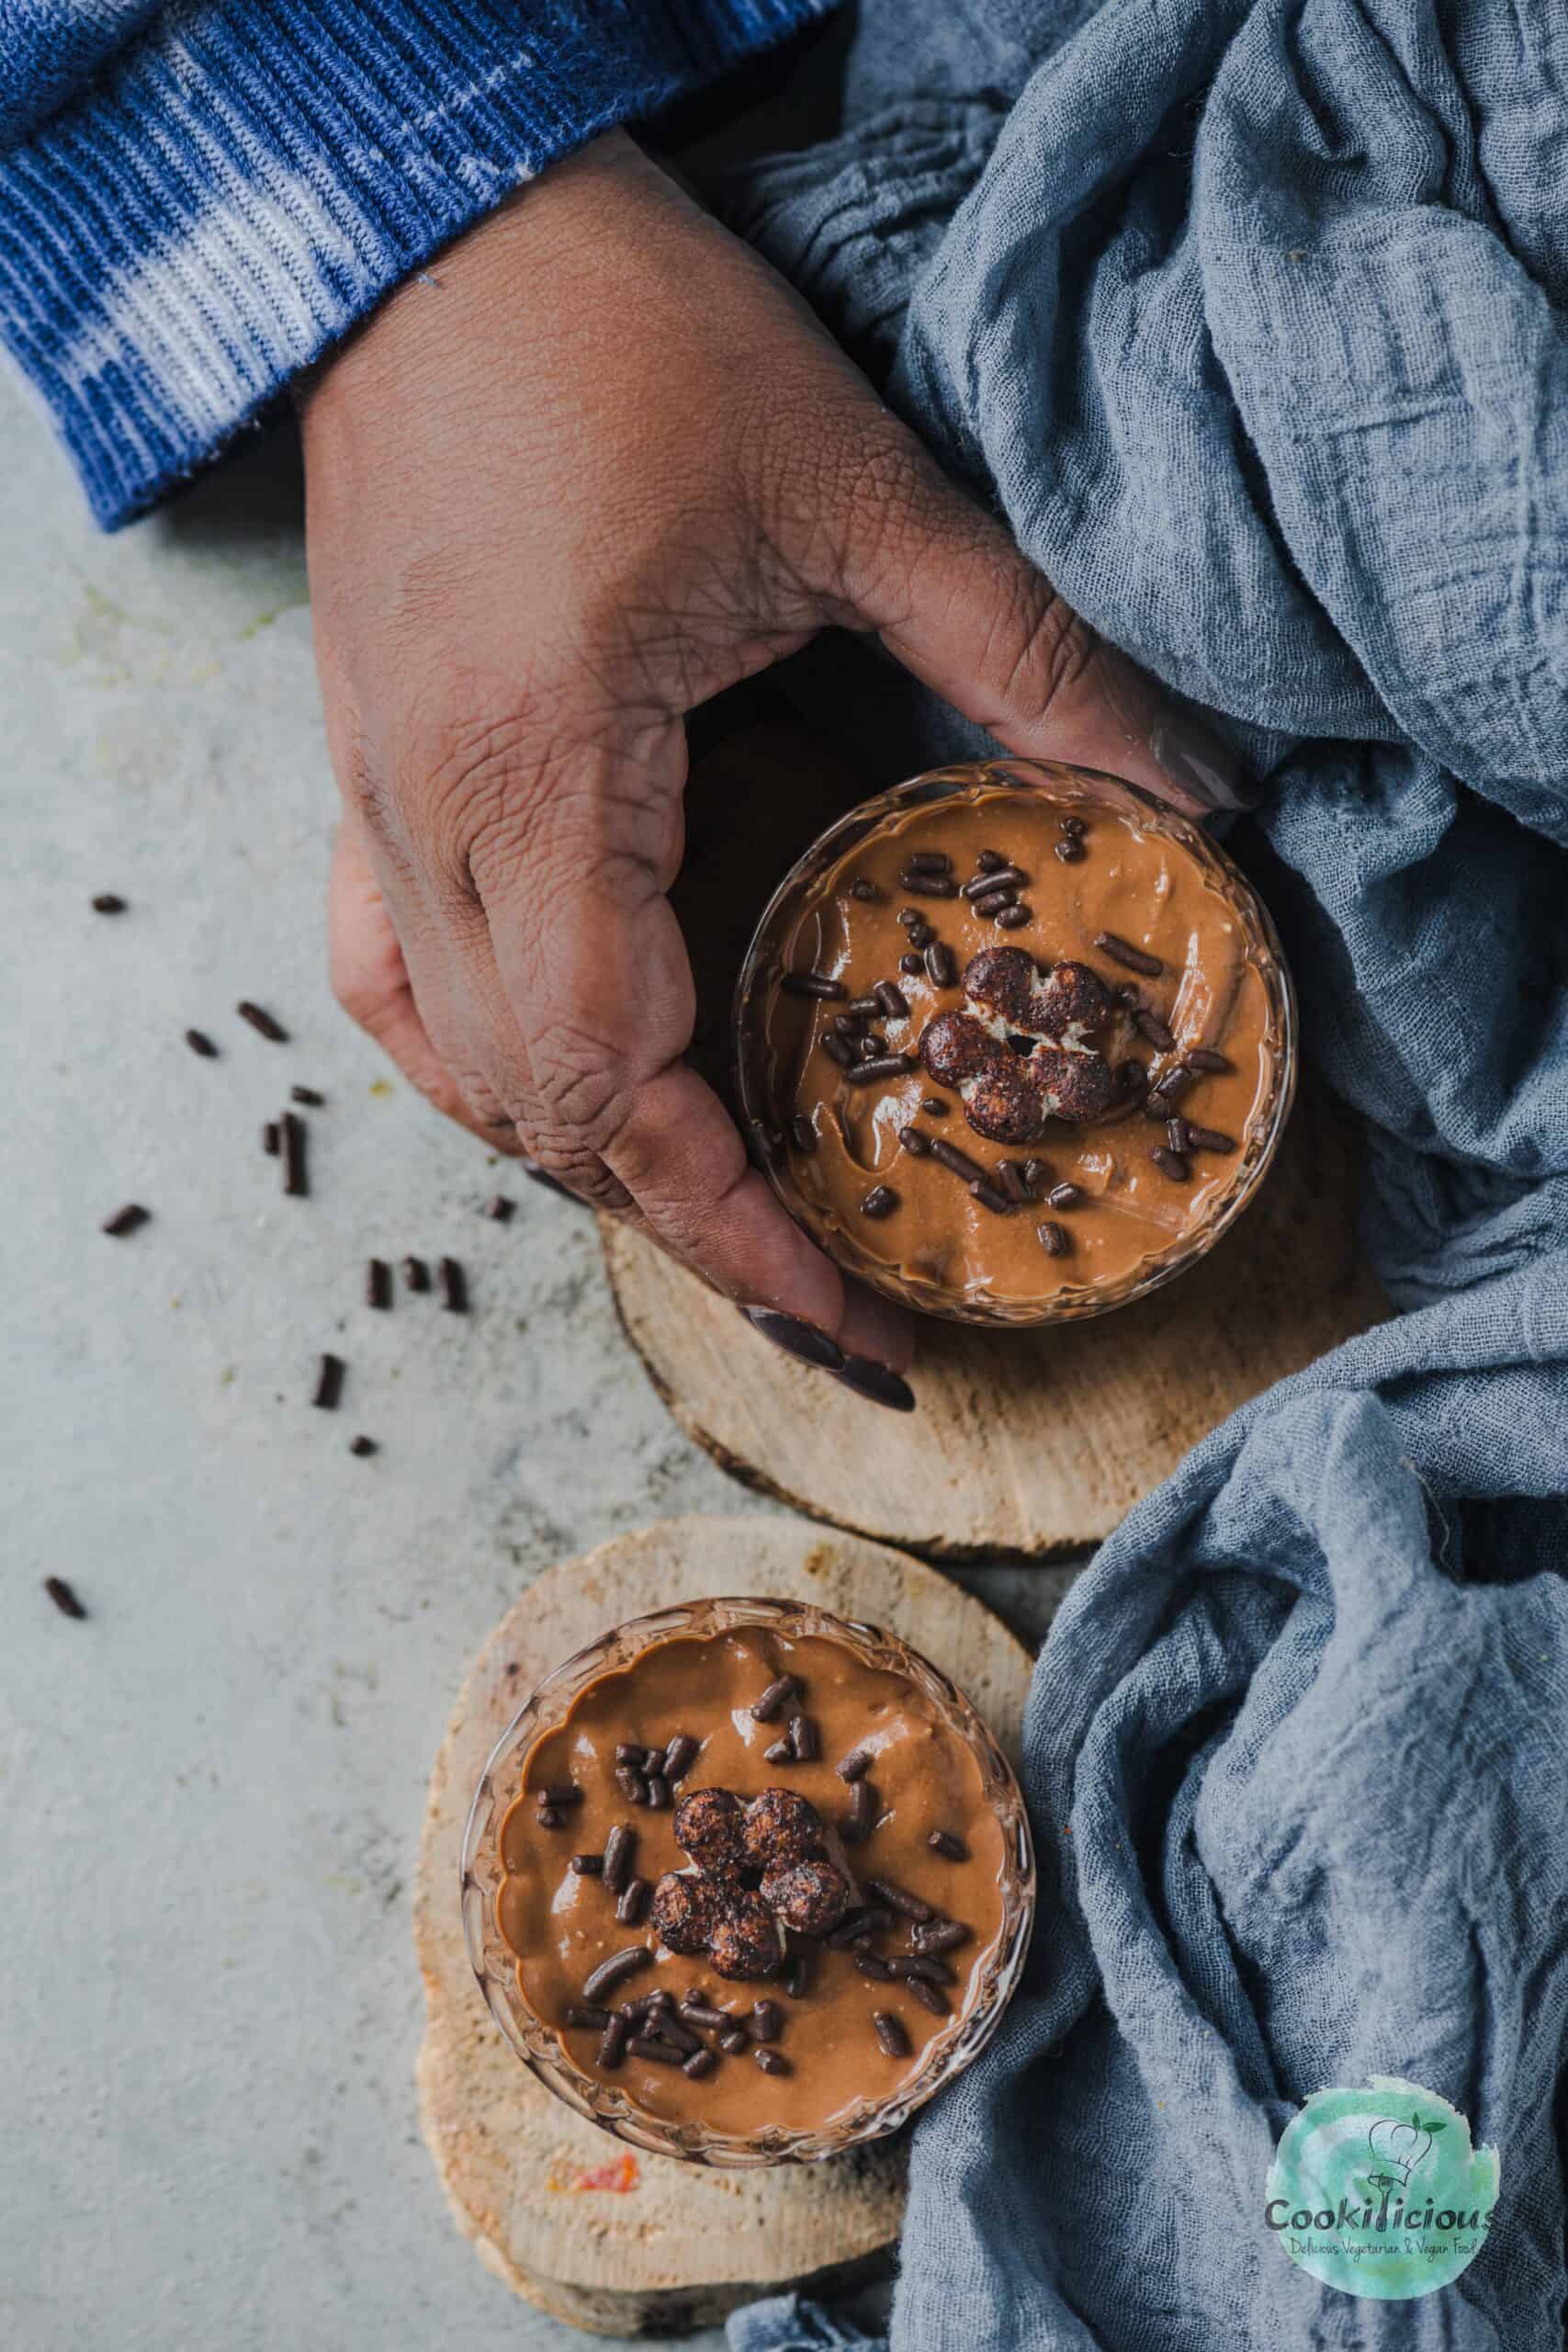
x: 1066, y: 784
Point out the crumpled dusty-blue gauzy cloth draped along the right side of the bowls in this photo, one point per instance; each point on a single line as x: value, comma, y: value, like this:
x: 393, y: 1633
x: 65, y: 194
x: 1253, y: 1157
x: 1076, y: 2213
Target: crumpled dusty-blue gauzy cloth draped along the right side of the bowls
x: 1252, y: 321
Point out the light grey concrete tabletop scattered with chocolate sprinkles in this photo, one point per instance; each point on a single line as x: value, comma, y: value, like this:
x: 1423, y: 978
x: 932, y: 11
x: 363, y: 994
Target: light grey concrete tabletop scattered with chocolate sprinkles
x: 210, y: 1793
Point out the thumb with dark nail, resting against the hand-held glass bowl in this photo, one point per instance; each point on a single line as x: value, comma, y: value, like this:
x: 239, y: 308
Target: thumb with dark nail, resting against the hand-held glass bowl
x: 960, y: 608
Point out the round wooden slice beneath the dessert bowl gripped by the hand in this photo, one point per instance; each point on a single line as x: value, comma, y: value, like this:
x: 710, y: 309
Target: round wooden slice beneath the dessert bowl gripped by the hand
x: 1026, y: 1443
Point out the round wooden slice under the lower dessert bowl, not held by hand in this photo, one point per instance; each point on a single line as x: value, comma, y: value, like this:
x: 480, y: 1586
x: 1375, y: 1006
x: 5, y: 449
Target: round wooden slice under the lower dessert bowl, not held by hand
x: 570, y: 2217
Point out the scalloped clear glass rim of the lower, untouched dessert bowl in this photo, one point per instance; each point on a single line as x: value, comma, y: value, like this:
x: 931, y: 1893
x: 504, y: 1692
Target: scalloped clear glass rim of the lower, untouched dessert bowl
x: 603, y: 2104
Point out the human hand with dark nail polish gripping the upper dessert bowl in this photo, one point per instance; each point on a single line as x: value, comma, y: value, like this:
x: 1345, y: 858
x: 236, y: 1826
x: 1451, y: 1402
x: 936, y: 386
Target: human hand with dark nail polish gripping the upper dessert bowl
x: 568, y: 486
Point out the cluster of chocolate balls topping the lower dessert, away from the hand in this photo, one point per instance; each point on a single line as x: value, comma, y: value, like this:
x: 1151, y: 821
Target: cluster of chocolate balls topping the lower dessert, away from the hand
x: 758, y: 1871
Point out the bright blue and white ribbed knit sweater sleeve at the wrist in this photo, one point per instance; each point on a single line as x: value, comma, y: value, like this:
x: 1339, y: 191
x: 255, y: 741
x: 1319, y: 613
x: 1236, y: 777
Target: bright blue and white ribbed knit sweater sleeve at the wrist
x: 196, y: 199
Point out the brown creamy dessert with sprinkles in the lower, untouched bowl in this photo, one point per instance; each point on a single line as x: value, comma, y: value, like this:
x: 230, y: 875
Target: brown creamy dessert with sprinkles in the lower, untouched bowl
x: 836, y: 2026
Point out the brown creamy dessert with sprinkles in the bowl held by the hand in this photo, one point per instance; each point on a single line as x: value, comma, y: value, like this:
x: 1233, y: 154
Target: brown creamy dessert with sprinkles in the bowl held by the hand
x: 857, y: 1156
